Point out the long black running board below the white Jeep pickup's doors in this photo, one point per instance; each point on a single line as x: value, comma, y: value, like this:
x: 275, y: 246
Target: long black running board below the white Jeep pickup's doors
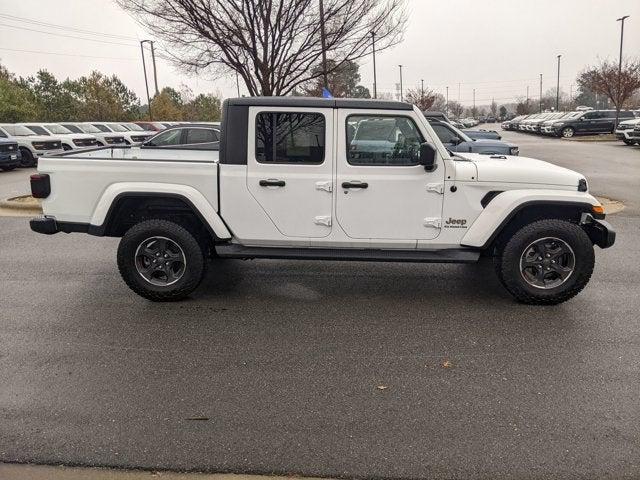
x: 452, y: 255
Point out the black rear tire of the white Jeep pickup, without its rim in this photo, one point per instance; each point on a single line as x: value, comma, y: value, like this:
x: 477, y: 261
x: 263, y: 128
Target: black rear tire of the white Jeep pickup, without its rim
x: 195, y: 261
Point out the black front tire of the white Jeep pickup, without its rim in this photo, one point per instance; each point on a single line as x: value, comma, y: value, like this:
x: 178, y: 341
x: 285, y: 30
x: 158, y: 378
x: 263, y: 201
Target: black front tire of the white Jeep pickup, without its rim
x: 508, y: 269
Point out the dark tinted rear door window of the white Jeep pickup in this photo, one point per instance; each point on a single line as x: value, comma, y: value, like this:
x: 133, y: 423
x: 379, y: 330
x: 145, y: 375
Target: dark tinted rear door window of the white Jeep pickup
x: 283, y: 137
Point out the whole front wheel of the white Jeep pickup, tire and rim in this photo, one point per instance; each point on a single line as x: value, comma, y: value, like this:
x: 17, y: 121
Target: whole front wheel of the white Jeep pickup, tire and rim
x: 546, y: 262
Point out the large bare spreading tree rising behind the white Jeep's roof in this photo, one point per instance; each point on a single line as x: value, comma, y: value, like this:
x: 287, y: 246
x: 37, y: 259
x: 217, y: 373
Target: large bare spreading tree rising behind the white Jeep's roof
x: 274, y: 45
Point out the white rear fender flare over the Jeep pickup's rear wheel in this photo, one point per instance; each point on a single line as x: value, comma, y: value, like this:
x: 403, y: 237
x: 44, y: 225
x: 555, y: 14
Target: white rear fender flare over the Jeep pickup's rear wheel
x: 193, y: 196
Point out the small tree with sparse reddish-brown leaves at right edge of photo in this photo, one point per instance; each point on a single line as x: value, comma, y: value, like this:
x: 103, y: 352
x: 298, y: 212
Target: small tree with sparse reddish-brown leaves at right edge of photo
x: 605, y: 80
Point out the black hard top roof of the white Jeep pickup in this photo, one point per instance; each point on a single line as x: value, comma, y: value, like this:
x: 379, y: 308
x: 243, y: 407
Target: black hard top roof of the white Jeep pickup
x: 315, y: 102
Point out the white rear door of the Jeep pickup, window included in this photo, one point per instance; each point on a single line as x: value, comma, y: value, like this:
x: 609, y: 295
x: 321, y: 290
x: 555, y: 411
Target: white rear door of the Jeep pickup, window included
x: 290, y: 169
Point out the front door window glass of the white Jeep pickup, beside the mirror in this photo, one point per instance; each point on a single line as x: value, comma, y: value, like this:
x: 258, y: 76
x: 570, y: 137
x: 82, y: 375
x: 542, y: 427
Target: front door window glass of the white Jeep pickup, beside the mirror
x: 382, y: 140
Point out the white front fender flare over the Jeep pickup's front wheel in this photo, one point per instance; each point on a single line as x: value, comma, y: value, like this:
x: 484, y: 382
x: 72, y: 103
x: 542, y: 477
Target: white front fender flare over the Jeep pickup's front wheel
x: 505, y: 205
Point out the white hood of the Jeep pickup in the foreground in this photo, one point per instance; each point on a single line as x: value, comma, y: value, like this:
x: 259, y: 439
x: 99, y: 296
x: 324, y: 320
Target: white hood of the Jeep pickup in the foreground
x: 516, y: 169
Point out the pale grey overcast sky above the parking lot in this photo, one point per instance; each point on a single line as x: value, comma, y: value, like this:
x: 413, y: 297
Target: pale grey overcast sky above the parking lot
x: 498, y: 47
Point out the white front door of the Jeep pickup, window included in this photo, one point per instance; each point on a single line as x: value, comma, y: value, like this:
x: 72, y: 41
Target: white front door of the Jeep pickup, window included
x: 381, y: 190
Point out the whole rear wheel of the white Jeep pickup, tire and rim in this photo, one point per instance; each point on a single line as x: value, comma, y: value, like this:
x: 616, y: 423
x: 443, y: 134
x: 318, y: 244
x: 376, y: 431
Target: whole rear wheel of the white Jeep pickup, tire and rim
x: 161, y: 260
